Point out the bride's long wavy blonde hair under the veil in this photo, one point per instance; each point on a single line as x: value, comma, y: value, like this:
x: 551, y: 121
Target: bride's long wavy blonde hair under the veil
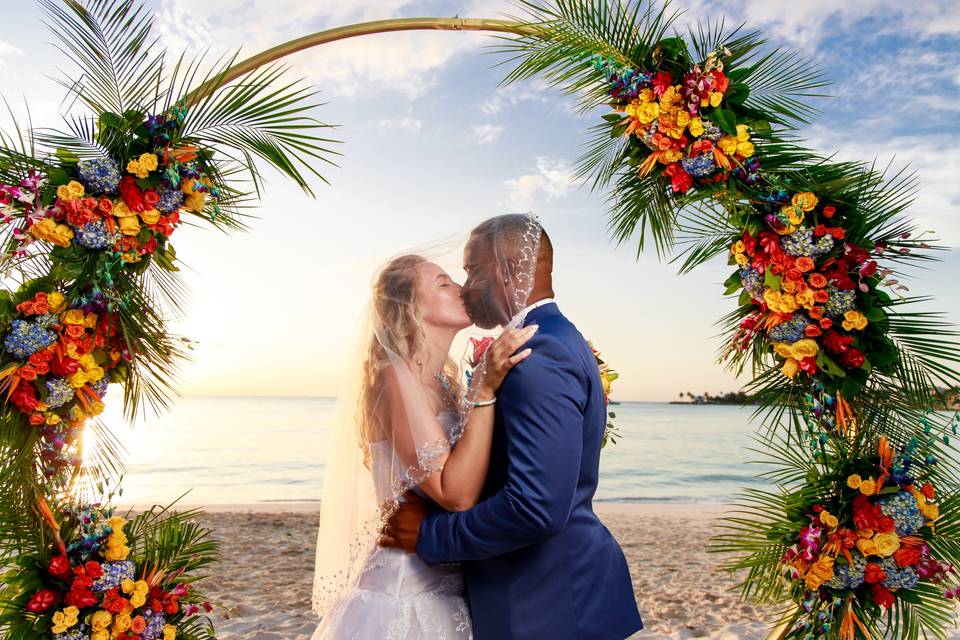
x: 398, y: 324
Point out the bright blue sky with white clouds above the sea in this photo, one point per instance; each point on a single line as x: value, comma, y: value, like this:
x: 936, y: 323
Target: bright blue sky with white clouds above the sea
x: 432, y: 145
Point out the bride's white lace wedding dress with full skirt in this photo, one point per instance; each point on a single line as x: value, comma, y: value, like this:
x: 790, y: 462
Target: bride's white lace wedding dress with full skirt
x: 399, y: 597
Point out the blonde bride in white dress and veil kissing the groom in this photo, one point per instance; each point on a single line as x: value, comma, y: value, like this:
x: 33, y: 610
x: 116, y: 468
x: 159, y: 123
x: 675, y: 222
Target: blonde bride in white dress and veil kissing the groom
x: 396, y: 433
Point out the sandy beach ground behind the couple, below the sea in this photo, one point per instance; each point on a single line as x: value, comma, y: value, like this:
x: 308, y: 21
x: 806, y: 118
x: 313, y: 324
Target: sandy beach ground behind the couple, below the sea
x: 266, y: 575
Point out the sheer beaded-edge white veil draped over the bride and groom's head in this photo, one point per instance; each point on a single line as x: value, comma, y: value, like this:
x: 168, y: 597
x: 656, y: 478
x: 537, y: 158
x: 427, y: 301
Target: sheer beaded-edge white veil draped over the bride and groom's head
x: 399, y: 415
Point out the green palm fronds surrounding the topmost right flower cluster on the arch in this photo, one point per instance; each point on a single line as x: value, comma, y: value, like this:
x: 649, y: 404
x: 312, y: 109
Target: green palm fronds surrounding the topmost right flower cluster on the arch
x: 564, y: 36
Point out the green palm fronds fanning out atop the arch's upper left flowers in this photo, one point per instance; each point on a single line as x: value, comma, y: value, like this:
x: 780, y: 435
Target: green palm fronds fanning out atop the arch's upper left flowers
x: 119, y: 69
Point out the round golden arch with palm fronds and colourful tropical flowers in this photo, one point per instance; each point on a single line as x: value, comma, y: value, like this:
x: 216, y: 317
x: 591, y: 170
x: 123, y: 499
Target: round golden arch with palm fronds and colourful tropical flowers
x: 700, y: 155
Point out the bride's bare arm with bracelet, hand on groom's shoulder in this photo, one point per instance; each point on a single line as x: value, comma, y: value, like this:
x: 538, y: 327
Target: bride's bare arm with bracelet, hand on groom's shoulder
x: 462, y: 470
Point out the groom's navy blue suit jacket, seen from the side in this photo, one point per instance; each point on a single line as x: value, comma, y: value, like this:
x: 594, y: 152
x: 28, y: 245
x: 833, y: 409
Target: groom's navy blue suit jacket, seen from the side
x: 539, y: 563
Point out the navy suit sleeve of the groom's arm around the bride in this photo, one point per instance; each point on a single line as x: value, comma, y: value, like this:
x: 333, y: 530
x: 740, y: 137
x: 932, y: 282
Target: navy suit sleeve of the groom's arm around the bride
x: 541, y: 402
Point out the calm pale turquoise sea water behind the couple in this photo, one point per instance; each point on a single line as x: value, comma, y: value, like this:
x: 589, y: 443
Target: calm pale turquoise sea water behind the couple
x: 228, y: 450
